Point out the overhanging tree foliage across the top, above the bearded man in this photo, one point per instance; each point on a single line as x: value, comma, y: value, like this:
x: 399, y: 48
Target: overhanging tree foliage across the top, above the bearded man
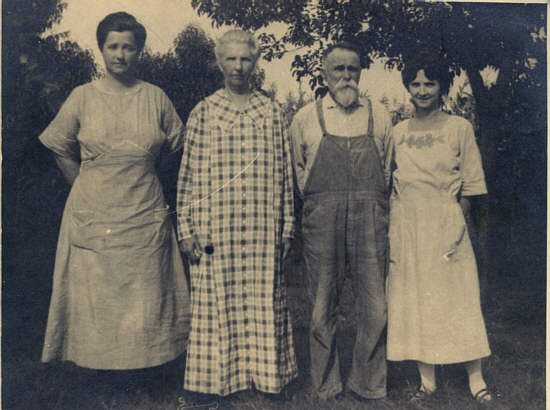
x: 393, y: 29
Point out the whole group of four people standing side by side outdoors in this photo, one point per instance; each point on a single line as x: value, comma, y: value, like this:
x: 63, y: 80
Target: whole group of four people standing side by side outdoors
x: 121, y: 299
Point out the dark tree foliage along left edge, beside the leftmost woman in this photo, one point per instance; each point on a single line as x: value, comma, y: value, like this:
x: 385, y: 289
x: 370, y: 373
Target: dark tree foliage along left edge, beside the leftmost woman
x: 38, y: 72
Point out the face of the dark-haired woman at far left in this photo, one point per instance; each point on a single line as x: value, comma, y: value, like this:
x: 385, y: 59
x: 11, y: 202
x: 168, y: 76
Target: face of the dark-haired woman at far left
x: 120, y: 52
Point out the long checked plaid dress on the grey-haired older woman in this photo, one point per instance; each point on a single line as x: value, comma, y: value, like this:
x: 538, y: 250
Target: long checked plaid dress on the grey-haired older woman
x: 235, y: 193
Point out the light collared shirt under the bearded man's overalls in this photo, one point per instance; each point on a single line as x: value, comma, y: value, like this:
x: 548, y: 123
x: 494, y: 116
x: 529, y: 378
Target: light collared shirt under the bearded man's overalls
x: 306, y: 133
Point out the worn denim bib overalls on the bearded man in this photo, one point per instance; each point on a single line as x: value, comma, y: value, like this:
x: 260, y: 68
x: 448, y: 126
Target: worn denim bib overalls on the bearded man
x: 345, y: 220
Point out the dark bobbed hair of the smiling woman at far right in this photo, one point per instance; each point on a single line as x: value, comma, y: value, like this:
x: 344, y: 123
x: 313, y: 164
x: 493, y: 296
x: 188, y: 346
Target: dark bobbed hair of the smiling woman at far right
x: 435, y: 68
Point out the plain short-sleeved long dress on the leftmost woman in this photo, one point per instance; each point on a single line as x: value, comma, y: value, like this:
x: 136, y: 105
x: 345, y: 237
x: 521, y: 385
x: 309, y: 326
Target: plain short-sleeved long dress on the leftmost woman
x: 120, y: 298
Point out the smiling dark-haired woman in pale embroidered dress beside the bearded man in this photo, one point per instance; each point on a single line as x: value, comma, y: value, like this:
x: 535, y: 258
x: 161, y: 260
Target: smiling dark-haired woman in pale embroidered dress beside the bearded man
x: 434, y: 312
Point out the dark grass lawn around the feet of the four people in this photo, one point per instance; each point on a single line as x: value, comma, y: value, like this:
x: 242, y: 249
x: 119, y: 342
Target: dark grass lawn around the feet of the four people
x: 515, y: 319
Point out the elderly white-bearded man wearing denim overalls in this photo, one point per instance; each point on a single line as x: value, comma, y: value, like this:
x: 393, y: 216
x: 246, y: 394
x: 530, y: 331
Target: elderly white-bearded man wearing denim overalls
x: 342, y: 158
